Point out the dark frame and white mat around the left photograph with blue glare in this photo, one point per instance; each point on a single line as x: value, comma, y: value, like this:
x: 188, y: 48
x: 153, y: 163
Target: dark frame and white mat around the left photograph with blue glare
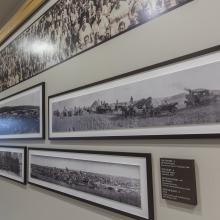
x: 42, y: 115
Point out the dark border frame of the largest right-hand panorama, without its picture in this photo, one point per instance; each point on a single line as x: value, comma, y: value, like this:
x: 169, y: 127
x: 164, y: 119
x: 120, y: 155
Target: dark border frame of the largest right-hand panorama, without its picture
x: 176, y: 61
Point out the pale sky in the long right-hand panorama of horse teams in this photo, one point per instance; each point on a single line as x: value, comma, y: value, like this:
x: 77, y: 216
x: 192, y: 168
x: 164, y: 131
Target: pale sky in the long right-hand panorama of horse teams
x: 207, y: 77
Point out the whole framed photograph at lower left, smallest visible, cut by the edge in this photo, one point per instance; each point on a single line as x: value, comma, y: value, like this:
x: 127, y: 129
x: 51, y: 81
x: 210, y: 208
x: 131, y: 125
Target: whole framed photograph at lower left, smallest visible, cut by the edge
x: 13, y: 163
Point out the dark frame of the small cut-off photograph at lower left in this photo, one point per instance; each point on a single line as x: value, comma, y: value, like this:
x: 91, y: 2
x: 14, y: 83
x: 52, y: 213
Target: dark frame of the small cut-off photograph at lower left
x: 24, y: 167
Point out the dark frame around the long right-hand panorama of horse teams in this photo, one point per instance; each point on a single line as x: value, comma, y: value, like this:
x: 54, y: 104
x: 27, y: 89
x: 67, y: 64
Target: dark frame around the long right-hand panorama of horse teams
x: 131, y: 73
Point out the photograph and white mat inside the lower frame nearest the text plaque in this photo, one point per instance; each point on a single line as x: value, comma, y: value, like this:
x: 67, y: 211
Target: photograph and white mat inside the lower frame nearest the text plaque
x: 117, y: 184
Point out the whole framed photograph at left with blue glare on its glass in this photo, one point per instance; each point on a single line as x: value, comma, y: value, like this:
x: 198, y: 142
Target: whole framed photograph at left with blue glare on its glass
x: 22, y: 114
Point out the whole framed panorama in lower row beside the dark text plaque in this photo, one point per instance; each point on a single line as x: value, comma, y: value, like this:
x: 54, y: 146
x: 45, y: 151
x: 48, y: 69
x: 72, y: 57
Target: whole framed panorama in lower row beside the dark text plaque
x: 120, y: 182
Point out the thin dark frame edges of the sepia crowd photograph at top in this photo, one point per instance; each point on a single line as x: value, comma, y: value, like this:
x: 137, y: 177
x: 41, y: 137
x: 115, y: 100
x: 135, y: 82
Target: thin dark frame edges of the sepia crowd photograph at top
x: 131, y: 28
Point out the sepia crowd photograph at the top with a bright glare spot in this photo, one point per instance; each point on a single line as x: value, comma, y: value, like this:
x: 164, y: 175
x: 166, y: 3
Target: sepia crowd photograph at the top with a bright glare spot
x: 70, y: 27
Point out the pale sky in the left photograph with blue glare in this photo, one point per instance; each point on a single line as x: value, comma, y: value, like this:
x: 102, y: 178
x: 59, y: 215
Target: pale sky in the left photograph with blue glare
x: 30, y: 99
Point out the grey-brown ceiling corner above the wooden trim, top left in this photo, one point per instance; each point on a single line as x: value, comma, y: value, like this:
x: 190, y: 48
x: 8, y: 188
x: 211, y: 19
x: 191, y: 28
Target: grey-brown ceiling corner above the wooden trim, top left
x: 7, y: 9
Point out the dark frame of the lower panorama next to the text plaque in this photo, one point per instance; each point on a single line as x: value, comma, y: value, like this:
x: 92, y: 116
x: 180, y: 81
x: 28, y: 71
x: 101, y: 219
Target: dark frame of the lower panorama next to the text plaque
x: 147, y: 156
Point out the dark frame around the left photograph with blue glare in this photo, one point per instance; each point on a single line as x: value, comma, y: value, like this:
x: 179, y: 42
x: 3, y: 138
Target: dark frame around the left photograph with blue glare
x: 42, y: 84
